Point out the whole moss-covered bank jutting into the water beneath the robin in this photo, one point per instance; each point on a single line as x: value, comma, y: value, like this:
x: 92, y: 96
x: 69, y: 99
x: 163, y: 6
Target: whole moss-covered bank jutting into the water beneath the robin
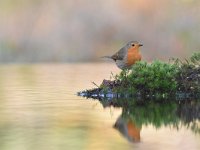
x: 153, y: 80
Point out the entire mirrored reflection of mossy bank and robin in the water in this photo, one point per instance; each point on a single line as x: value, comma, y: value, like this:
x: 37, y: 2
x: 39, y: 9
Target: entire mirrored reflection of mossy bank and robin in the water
x: 136, y: 114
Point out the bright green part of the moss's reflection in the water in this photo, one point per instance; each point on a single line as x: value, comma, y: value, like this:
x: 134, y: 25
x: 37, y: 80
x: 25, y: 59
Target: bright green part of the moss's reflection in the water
x: 153, y: 113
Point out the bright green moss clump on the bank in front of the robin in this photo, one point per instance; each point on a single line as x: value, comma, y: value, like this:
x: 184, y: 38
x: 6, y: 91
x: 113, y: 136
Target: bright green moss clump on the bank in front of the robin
x: 157, y: 78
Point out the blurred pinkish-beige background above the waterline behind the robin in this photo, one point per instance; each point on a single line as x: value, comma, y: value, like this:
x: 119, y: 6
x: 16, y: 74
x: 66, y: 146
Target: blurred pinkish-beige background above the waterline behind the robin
x: 34, y: 31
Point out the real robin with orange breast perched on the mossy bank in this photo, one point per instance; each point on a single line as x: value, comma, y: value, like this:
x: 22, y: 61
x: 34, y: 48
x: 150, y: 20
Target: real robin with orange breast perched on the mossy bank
x: 127, y: 55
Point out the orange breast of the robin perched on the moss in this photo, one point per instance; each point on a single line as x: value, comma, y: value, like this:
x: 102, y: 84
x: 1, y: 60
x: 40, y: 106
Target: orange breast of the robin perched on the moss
x: 133, y: 56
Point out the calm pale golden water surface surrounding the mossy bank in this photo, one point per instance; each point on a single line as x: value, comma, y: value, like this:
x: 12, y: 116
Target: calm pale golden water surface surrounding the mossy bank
x: 40, y: 110
